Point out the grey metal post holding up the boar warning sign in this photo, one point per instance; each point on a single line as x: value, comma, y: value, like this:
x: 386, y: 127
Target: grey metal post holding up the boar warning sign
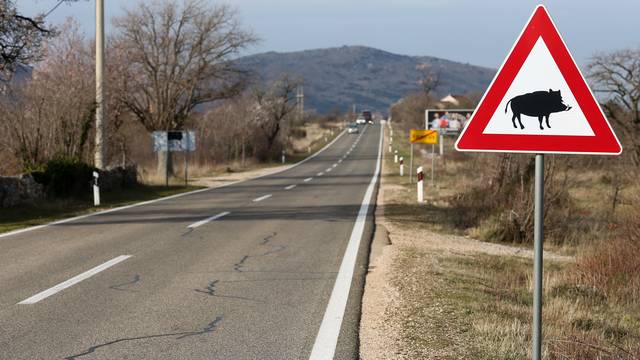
x: 538, y: 240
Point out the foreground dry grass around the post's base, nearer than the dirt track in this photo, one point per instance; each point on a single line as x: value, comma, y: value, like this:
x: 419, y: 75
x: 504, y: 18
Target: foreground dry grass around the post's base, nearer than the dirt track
x: 478, y: 306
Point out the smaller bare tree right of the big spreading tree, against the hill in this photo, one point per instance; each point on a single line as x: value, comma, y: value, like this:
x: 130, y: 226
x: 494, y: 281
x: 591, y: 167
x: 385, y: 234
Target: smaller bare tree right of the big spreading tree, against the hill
x: 272, y: 107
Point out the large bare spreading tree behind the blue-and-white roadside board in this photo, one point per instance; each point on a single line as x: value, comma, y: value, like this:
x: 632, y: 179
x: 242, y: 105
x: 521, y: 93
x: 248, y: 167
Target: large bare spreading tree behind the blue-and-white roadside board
x: 178, y: 57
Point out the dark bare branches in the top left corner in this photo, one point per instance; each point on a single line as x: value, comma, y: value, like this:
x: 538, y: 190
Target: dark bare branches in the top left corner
x: 21, y: 37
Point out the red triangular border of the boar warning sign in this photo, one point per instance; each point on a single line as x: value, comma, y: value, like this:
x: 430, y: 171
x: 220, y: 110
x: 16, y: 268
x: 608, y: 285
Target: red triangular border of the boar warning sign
x: 603, y: 142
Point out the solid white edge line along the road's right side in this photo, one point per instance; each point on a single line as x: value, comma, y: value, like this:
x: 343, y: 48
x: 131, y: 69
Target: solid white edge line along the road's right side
x: 327, y: 339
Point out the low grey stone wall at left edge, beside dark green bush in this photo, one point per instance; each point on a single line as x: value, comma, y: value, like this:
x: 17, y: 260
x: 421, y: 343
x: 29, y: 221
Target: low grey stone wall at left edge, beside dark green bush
x: 18, y: 190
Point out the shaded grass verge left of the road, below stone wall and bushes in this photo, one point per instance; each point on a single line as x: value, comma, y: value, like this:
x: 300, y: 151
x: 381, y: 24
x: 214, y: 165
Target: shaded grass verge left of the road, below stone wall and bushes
x: 55, y: 209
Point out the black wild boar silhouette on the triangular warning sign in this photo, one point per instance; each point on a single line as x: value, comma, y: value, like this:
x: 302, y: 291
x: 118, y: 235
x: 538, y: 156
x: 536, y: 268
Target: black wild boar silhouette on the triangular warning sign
x: 538, y: 104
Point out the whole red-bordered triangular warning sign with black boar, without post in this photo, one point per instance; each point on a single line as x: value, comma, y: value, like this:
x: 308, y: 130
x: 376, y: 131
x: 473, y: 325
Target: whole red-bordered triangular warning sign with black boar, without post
x: 539, y: 101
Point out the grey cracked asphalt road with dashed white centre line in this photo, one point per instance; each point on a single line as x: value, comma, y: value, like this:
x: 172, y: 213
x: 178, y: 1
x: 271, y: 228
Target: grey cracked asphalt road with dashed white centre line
x: 244, y: 271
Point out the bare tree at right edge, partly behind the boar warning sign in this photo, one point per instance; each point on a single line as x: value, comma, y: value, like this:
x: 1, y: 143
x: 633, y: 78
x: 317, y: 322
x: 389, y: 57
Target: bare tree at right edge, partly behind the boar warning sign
x: 617, y: 74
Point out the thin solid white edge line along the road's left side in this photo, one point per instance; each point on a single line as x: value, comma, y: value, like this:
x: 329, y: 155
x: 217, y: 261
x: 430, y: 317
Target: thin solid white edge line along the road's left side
x: 63, y: 221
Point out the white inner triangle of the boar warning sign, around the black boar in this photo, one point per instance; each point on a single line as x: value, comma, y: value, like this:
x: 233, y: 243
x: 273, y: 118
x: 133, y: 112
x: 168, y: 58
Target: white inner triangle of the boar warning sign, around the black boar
x: 540, y: 73
